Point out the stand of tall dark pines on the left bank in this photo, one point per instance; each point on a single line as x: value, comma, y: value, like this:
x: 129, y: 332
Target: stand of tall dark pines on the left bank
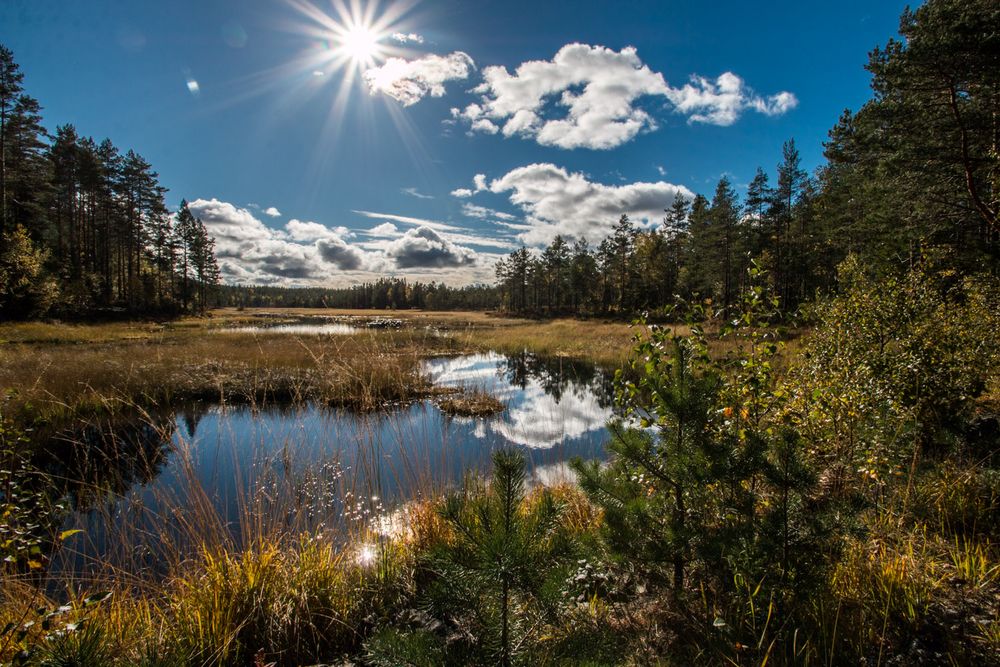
x: 83, y: 226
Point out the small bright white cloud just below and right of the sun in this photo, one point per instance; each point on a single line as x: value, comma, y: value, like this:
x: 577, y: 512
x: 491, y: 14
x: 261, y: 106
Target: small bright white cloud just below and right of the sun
x: 409, y: 81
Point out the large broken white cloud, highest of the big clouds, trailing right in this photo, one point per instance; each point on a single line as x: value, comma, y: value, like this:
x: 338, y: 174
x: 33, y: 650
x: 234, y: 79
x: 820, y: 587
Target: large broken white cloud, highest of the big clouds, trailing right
x: 599, y: 90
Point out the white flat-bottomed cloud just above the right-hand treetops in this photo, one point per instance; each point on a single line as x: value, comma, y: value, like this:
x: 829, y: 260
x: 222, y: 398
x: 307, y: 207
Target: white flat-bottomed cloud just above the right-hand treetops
x: 556, y: 201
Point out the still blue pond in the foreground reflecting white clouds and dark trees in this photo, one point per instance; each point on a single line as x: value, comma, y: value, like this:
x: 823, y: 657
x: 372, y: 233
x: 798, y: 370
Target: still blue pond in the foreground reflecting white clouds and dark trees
x: 232, y: 470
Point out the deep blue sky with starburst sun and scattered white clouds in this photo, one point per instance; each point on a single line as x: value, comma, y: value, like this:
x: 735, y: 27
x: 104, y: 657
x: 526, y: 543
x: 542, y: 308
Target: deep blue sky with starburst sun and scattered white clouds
x: 426, y: 138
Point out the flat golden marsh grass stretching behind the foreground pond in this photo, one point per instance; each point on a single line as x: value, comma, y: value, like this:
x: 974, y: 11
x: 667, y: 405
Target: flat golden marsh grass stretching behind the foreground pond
x: 58, y: 369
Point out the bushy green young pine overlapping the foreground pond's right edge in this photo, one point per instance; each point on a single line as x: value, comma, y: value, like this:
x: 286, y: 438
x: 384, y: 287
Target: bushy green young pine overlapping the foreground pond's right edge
x: 654, y: 481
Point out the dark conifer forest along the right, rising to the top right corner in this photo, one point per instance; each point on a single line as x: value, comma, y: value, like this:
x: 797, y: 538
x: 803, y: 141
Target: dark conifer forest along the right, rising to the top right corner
x: 913, y: 175
